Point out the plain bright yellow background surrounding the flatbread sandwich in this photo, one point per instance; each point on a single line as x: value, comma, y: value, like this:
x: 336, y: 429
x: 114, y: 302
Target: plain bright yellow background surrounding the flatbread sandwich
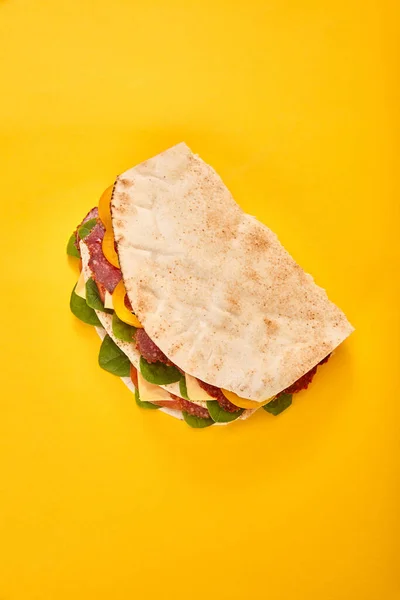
x: 294, y: 103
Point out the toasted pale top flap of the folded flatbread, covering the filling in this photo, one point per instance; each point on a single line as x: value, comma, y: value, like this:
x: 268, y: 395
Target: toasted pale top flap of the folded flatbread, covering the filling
x: 213, y: 287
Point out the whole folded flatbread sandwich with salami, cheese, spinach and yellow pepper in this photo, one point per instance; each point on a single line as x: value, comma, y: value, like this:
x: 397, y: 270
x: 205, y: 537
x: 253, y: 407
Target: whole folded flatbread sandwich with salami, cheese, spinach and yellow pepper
x: 201, y: 310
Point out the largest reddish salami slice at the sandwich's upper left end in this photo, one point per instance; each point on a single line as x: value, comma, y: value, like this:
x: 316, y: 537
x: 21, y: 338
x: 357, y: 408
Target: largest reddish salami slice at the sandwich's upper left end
x: 104, y: 272
